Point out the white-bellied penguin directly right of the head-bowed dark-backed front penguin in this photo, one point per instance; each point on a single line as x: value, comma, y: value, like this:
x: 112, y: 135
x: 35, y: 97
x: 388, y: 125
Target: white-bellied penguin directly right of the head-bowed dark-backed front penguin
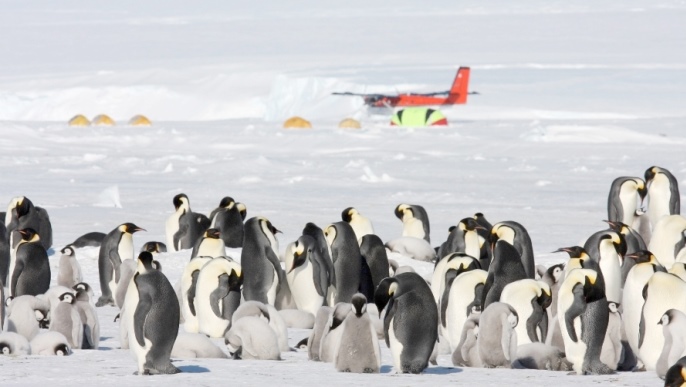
x: 463, y: 301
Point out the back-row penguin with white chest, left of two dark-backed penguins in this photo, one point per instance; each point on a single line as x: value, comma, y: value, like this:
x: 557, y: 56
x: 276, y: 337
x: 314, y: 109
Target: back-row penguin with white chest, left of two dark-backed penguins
x: 184, y: 227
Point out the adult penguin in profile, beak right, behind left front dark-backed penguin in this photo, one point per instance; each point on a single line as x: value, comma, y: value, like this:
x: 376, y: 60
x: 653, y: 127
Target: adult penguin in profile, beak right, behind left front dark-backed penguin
x: 116, y: 247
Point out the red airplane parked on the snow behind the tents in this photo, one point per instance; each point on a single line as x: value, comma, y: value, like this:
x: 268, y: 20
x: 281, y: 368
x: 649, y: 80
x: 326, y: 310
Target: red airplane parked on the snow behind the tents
x: 455, y: 96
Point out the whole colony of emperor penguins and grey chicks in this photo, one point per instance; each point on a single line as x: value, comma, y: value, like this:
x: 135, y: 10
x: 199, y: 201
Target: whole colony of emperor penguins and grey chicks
x: 617, y: 304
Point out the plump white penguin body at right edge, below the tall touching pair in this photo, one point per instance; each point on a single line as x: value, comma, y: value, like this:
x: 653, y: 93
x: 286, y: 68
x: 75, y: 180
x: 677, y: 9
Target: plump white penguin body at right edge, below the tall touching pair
x: 668, y: 239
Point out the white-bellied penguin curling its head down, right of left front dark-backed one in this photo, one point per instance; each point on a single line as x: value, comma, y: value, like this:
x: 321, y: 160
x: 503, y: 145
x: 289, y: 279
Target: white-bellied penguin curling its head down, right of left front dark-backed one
x: 217, y: 295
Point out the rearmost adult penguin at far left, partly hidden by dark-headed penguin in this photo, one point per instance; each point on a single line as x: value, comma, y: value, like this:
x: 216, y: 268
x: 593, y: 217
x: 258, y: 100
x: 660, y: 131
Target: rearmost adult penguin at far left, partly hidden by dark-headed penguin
x: 22, y: 214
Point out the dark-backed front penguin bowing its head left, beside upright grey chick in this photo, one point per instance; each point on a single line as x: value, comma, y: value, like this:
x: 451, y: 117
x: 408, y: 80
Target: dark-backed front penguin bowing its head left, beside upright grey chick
x: 410, y: 322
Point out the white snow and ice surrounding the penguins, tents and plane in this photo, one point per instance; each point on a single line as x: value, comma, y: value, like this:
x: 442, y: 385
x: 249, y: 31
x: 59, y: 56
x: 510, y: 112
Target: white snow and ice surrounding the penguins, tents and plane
x: 572, y: 95
